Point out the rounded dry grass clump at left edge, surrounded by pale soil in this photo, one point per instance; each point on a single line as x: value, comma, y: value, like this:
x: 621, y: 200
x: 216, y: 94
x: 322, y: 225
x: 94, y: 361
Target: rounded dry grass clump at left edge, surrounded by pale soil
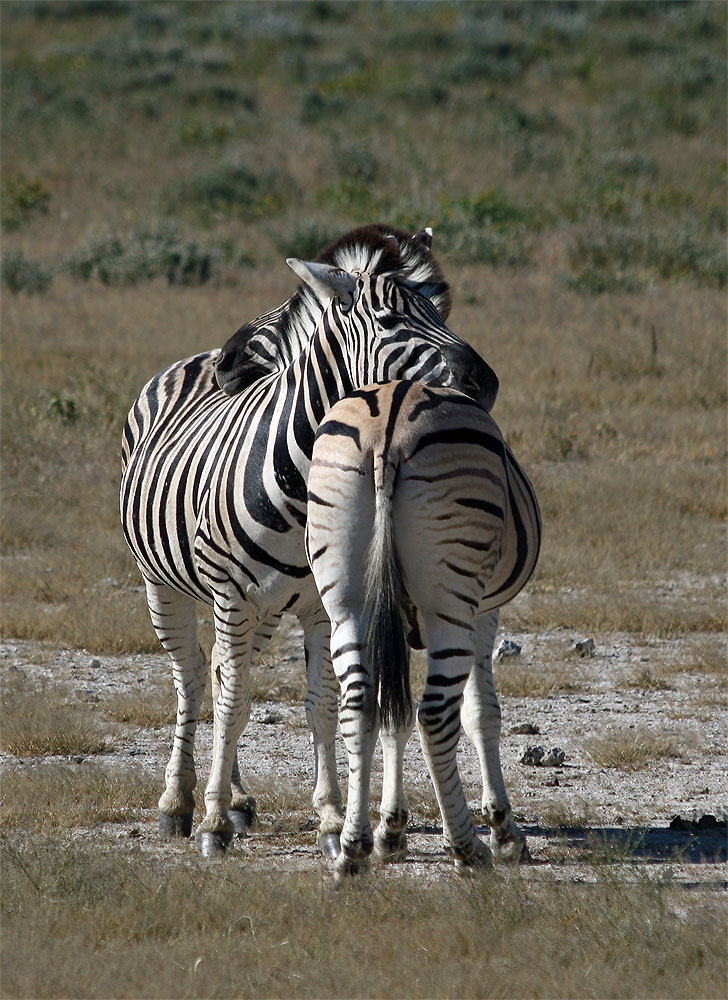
x: 44, y: 720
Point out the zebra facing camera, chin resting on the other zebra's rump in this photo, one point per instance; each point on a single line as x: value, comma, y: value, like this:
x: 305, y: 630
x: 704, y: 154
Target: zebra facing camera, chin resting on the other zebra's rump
x: 213, y: 494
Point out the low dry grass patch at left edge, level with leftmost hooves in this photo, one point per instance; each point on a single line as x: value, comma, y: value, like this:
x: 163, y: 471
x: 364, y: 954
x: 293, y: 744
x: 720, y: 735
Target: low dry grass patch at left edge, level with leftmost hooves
x: 51, y: 796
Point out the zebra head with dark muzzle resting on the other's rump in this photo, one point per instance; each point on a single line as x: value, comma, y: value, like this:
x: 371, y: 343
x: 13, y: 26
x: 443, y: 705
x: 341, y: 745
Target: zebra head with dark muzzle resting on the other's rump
x: 380, y: 330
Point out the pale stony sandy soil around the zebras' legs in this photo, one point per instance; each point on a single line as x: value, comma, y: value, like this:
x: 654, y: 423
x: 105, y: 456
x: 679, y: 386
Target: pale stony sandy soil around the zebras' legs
x: 565, y: 810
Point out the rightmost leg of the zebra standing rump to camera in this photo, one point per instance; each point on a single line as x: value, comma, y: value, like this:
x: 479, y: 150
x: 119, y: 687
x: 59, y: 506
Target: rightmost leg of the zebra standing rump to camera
x: 481, y: 719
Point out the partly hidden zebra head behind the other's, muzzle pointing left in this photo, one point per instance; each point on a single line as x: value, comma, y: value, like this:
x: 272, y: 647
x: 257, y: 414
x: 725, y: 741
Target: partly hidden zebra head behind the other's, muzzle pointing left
x: 271, y: 341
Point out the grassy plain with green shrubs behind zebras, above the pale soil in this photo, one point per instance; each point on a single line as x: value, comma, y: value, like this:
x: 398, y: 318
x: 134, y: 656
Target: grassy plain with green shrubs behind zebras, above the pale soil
x: 160, y: 160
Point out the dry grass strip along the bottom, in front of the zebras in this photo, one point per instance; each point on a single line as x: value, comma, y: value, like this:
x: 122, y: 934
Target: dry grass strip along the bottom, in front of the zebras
x: 119, y: 926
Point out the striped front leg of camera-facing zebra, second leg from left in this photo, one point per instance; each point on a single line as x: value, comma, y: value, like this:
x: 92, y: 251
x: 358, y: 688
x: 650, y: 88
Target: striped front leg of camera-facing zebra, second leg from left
x: 234, y: 633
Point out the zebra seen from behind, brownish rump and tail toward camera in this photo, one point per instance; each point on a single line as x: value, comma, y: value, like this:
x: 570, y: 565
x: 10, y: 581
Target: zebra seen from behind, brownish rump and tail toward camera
x: 446, y: 530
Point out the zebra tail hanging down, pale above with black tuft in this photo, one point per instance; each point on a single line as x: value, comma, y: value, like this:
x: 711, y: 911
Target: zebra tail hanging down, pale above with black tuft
x: 386, y: 635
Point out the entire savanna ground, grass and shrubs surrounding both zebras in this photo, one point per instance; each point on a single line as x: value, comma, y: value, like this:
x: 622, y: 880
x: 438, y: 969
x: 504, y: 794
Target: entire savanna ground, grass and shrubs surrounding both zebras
x: 159, y: 162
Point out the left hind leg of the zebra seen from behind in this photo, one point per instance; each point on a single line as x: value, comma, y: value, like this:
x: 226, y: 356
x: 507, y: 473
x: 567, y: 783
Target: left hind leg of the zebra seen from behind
x: 360, y: 728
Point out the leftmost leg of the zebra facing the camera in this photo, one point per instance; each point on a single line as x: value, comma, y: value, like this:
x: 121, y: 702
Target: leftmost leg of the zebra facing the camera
x: 174, y: 617
